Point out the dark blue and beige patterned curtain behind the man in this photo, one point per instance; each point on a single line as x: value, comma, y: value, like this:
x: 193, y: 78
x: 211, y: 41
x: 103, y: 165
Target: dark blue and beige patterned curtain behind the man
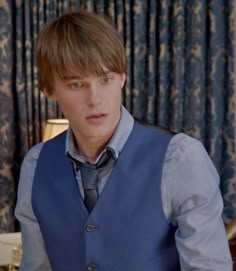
x: 180, y: 76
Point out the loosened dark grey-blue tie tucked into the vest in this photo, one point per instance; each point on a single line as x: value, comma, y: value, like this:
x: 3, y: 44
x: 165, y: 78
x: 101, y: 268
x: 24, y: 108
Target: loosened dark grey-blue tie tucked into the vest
x: 90, y: 176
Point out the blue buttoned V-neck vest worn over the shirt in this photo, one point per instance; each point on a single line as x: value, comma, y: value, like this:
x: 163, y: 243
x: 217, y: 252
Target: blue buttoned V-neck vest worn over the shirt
x: 127, y: 229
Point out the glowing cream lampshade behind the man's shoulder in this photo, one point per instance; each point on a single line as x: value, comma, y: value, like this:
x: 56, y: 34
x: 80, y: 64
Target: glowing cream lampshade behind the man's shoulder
x: 53, y: 127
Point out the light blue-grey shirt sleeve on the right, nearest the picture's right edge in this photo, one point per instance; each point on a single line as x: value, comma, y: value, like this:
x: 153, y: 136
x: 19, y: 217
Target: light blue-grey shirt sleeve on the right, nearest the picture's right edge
x: 192, y: 201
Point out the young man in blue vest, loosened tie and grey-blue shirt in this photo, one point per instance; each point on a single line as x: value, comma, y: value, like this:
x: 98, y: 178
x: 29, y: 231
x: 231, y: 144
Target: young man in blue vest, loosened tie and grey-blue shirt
x: 152, y: 202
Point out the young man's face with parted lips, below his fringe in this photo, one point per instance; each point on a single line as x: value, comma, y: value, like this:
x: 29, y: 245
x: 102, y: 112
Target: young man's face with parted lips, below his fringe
x: 91, y: 104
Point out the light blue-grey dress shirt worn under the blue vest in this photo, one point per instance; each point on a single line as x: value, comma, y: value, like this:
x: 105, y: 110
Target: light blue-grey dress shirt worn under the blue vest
x: 190, y: 194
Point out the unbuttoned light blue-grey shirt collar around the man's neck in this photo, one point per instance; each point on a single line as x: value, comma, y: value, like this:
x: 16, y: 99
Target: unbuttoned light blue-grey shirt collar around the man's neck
x: 116, y: 143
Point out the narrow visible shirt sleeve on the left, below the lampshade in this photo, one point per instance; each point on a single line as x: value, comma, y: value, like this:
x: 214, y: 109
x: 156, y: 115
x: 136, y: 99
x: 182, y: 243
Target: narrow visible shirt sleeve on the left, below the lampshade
x: 34, y: 256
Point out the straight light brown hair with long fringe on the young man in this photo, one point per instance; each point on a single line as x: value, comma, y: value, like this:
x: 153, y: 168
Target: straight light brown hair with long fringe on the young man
x: 79, y: 43
